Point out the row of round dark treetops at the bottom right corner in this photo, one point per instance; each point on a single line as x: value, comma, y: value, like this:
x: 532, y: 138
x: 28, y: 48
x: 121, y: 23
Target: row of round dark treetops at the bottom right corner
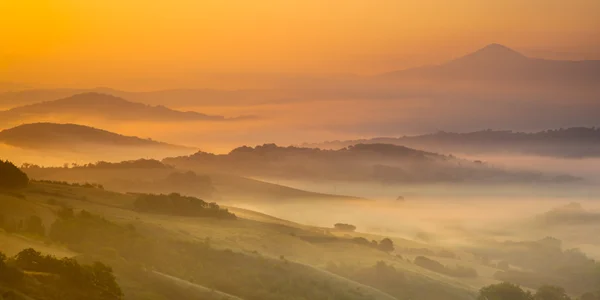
x: 509, y: 291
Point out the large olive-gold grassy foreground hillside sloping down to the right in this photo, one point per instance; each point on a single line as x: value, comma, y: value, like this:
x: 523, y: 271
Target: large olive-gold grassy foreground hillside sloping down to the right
x: 192, y: 258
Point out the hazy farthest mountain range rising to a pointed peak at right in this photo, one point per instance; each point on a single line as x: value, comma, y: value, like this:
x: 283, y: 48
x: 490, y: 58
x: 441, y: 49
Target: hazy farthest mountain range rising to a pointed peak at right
x: 494, y: 87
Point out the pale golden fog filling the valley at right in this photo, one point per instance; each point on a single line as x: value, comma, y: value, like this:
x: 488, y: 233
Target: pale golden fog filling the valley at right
x: 457, y: 215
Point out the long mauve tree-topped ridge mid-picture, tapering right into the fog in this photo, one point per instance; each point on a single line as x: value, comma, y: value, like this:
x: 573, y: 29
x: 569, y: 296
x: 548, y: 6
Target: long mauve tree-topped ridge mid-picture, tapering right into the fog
x: 362, y: 162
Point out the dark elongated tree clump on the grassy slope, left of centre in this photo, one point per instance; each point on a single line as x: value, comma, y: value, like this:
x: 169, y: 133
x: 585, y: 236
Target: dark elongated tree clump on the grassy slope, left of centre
x: 176, y: 204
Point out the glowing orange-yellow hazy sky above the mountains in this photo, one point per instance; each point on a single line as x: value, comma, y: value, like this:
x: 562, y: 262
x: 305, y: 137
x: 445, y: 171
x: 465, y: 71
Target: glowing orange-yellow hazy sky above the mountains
x: 115, y: 42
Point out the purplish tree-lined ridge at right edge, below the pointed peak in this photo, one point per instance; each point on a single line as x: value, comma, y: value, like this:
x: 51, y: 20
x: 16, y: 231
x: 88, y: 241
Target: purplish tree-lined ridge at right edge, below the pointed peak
x: 572, y: 142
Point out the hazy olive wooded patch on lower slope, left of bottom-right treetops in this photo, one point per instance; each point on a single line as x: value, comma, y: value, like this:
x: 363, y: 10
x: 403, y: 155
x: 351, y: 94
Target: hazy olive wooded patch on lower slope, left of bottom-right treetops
x: 400, y: 285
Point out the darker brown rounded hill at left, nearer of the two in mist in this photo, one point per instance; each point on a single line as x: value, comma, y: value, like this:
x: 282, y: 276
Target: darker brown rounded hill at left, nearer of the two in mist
x: 51, y: 136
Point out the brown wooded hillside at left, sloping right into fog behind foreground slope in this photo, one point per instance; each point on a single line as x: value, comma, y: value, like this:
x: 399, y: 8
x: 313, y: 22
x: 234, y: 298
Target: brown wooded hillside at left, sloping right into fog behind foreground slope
x: 151, y: 176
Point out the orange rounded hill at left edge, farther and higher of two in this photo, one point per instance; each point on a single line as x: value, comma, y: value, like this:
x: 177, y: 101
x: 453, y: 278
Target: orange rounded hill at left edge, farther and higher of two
x: 103, y: 106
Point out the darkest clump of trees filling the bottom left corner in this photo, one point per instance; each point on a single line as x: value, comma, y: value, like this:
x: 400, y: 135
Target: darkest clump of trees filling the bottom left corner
x: 45, y: 277
